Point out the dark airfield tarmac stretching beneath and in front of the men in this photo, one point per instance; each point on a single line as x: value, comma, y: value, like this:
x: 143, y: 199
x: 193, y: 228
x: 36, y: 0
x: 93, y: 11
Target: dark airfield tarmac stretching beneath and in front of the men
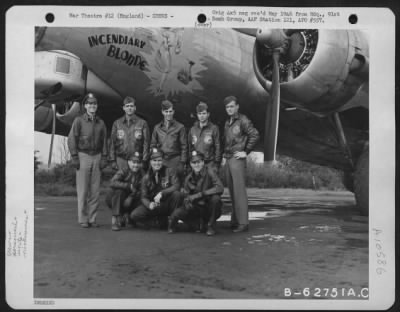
x: 297, y: 239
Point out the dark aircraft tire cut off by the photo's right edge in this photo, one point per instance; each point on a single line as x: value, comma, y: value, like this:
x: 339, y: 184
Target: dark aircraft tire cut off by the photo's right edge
x: 361, y: 183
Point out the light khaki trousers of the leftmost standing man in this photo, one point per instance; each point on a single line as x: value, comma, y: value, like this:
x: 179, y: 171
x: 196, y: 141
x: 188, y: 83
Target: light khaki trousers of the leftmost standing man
x: 88, y: 187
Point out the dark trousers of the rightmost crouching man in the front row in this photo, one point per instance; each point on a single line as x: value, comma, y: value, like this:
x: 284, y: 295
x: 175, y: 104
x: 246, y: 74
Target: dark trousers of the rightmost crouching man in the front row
x: 209, y: 211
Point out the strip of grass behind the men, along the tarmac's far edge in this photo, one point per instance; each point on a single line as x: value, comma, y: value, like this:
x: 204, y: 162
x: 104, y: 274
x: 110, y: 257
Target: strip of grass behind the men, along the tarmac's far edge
x: 288, y: 173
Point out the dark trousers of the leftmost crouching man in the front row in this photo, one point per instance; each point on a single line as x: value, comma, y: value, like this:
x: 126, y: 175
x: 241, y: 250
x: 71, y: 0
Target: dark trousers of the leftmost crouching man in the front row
x: 120, y: 202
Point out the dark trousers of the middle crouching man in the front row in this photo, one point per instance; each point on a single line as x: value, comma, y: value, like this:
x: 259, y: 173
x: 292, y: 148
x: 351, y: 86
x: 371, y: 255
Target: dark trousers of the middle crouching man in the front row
x: 167, y: 205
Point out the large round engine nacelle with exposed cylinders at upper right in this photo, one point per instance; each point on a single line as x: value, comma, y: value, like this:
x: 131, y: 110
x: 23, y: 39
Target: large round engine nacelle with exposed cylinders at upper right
x: 320, y: 72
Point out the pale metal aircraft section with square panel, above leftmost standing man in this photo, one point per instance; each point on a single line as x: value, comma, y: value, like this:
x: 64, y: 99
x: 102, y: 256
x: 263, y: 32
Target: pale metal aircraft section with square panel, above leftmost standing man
x: 62, y: 79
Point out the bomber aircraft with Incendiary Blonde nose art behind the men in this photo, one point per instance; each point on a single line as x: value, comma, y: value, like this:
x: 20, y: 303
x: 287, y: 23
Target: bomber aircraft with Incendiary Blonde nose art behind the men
x: 306, y: 90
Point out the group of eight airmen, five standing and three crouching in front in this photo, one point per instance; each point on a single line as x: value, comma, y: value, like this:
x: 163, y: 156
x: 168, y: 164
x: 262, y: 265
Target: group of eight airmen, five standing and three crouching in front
x: 152, y: 184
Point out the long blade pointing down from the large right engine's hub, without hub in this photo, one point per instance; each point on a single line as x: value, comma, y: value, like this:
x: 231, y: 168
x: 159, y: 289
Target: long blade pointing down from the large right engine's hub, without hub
x: 272, y: 112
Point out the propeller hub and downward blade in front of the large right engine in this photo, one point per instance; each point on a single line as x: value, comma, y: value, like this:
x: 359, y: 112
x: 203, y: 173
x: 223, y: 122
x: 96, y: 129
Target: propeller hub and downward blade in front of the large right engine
x: 276, y: 42
